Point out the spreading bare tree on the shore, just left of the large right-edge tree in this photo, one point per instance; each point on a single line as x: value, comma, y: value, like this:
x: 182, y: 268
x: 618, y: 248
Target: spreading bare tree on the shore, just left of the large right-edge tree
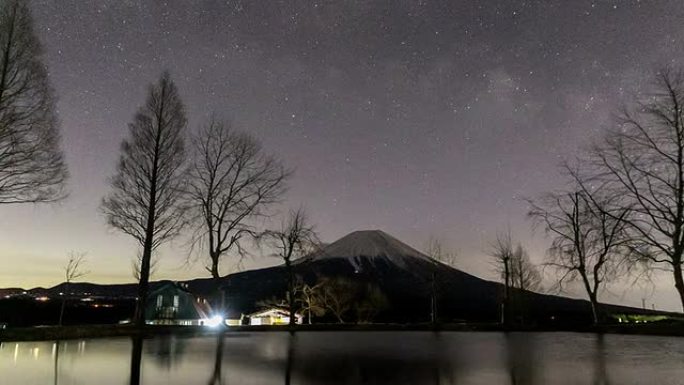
x: 588, y: 239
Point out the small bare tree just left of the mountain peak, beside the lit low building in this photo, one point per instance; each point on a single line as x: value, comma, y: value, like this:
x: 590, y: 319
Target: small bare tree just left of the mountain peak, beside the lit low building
x: 295, y: 239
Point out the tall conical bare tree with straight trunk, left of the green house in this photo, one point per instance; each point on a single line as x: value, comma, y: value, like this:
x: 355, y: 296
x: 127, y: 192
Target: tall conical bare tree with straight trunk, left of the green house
x: 145, y: 201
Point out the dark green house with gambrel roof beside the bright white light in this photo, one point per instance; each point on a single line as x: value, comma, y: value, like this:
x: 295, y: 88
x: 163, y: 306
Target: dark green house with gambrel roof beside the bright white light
x: 172, y: 304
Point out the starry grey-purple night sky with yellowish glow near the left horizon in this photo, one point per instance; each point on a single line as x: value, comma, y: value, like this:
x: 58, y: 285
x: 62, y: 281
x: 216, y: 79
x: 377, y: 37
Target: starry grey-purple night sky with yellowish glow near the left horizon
x: 421, y: 118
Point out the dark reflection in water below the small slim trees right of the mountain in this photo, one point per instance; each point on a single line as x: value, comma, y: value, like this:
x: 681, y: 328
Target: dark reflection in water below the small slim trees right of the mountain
x: 520, y: 358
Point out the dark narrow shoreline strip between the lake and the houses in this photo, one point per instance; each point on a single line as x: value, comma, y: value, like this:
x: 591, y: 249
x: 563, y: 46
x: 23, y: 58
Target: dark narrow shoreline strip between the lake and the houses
x: 50, y: 333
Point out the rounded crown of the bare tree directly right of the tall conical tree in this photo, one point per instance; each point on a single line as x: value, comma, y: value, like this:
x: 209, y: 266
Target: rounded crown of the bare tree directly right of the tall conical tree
x: 232, y: 182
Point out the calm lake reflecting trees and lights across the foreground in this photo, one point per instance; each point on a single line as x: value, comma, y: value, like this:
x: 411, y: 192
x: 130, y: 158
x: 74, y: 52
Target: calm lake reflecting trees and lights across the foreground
x: 313, y: 358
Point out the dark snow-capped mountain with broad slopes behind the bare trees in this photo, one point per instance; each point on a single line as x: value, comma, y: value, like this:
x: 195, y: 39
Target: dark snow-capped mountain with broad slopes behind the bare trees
x: 405, y: 276
